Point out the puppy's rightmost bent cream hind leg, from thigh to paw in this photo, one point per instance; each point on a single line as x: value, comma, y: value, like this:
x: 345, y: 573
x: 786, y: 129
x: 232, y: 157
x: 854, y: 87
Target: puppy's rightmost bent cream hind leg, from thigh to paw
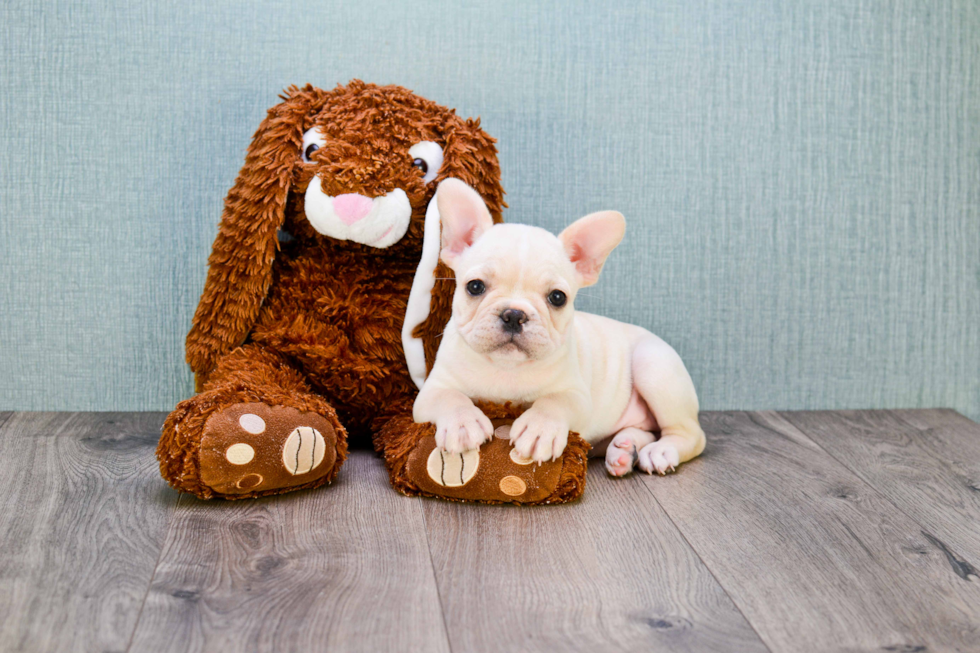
x: 662, y: 380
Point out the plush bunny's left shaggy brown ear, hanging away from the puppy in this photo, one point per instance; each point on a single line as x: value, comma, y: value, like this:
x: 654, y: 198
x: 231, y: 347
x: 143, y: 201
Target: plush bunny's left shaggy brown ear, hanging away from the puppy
x: 240, y: 265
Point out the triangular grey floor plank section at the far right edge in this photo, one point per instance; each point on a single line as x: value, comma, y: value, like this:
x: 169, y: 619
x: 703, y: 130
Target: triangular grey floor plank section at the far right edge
x: 925, y: 462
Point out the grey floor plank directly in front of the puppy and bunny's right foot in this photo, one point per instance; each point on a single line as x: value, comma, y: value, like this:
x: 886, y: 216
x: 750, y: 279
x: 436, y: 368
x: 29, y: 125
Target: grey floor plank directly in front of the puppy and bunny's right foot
x: 607, y: 573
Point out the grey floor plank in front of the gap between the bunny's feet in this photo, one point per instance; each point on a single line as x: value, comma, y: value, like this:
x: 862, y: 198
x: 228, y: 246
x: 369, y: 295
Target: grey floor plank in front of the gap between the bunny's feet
x: 344, y: 568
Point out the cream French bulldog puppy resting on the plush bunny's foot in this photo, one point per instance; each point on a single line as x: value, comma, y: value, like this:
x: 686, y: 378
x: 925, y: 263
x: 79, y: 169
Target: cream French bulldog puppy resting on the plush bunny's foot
x: 515, y: 336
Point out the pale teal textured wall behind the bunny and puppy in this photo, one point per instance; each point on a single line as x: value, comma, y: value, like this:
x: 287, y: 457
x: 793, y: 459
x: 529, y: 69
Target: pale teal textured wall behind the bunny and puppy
x: 801, y: 179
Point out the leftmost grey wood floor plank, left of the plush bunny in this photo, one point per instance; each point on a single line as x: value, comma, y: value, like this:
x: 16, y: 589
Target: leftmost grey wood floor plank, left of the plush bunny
x: 84, y: 518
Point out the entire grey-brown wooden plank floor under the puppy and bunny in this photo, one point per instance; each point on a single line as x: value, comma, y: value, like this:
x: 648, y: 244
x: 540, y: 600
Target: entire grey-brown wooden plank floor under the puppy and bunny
x: 818, y: 531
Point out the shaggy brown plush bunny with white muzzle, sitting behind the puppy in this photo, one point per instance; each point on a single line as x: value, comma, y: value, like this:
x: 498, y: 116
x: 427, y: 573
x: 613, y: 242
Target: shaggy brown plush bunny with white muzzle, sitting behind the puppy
x: 323, y: 305
